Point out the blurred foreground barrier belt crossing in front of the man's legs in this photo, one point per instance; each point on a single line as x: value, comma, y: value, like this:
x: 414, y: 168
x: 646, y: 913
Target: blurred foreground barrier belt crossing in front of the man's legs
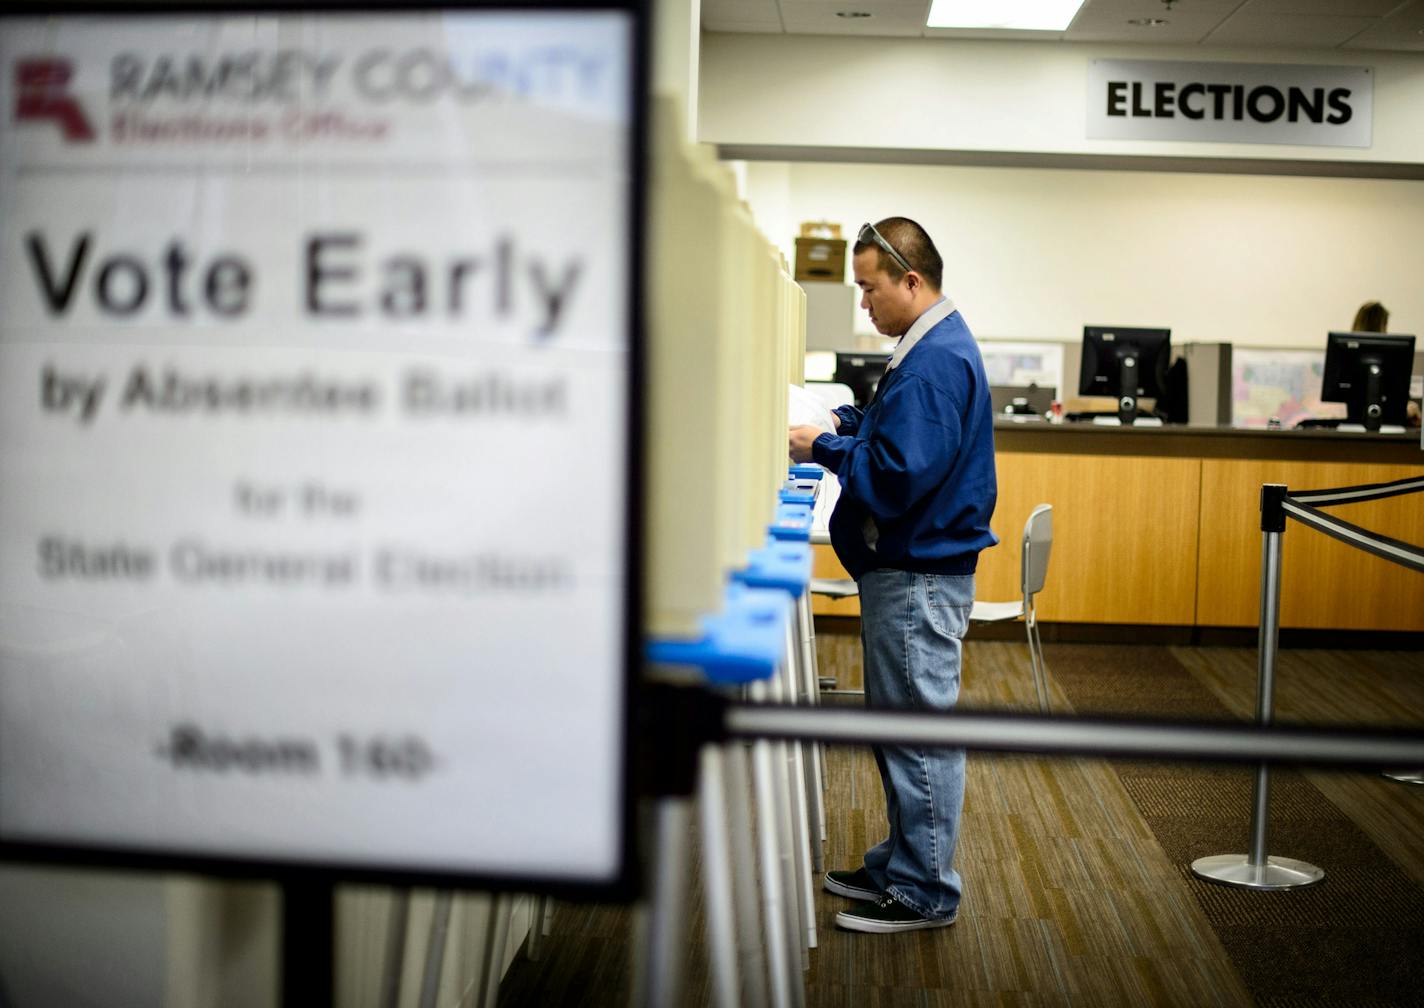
x: 1230, y: 742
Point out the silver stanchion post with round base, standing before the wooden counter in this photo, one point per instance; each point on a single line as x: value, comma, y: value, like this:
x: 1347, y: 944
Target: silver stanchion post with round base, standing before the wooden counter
x: 1257, y: 869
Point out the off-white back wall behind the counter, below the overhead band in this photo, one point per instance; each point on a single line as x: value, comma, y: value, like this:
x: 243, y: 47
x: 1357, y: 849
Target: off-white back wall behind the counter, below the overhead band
x: 1037, y: 254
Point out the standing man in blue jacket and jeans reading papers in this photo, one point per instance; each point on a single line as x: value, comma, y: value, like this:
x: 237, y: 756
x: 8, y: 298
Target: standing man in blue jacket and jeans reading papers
x: 918, y: 492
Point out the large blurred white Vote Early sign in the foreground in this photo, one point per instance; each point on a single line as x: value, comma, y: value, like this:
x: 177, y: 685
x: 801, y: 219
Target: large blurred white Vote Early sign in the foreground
x: 315, y: 438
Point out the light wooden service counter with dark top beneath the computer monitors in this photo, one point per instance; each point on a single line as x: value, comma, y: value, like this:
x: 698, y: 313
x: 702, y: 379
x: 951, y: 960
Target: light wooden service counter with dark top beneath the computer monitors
x: 1163, y: 526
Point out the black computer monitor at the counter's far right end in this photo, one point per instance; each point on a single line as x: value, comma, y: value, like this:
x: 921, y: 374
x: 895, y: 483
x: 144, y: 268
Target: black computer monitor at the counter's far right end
x: 1371, y: 375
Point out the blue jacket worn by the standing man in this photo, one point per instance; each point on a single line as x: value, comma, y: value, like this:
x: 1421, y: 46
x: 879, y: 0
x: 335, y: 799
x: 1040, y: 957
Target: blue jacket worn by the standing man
x: 918, y: 463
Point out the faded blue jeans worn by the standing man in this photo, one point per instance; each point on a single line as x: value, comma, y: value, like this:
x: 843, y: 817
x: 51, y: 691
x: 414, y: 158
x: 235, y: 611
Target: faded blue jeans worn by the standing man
x: 911, y: 630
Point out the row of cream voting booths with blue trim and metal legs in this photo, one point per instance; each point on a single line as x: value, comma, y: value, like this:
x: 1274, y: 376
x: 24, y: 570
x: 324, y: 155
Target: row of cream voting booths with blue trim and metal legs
x: 727, y: 569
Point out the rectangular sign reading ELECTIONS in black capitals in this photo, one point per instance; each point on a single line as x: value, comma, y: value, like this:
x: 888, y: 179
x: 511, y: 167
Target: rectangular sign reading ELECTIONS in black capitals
x: 1238, y: 103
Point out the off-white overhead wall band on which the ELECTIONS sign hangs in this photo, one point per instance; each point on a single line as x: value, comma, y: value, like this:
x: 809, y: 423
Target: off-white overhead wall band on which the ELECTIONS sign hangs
x: 938, y: 95
